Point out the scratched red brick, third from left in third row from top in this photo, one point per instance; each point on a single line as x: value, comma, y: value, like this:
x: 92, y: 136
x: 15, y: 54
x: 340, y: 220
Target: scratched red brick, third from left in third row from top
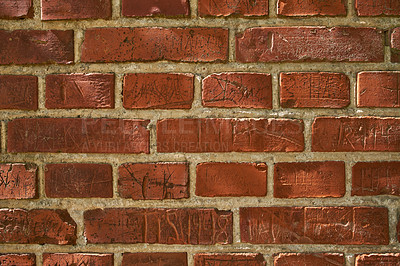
x: 158, y: 91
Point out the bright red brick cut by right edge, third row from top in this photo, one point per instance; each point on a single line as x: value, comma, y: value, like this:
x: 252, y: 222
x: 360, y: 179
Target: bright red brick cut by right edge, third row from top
x: 378, y: 89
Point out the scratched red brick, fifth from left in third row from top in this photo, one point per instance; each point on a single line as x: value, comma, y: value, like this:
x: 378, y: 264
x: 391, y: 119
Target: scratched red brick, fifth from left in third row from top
x: 314, y: 90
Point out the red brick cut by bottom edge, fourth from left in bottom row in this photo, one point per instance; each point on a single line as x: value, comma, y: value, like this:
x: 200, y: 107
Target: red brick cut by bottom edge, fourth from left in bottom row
x: 236, y: 259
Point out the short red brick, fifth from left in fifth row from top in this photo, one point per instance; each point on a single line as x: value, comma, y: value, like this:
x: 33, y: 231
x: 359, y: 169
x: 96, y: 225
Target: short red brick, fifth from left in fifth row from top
x: 309, y: 180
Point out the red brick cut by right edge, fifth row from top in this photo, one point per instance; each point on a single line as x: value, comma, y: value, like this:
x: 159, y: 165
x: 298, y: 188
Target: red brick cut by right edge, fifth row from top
x: 376, y: 178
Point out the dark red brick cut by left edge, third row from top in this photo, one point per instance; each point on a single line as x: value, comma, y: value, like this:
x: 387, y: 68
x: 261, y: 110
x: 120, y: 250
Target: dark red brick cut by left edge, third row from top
x: 18, y: 92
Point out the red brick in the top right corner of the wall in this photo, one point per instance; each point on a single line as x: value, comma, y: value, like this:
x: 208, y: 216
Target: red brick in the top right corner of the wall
x: 377, y: 7
